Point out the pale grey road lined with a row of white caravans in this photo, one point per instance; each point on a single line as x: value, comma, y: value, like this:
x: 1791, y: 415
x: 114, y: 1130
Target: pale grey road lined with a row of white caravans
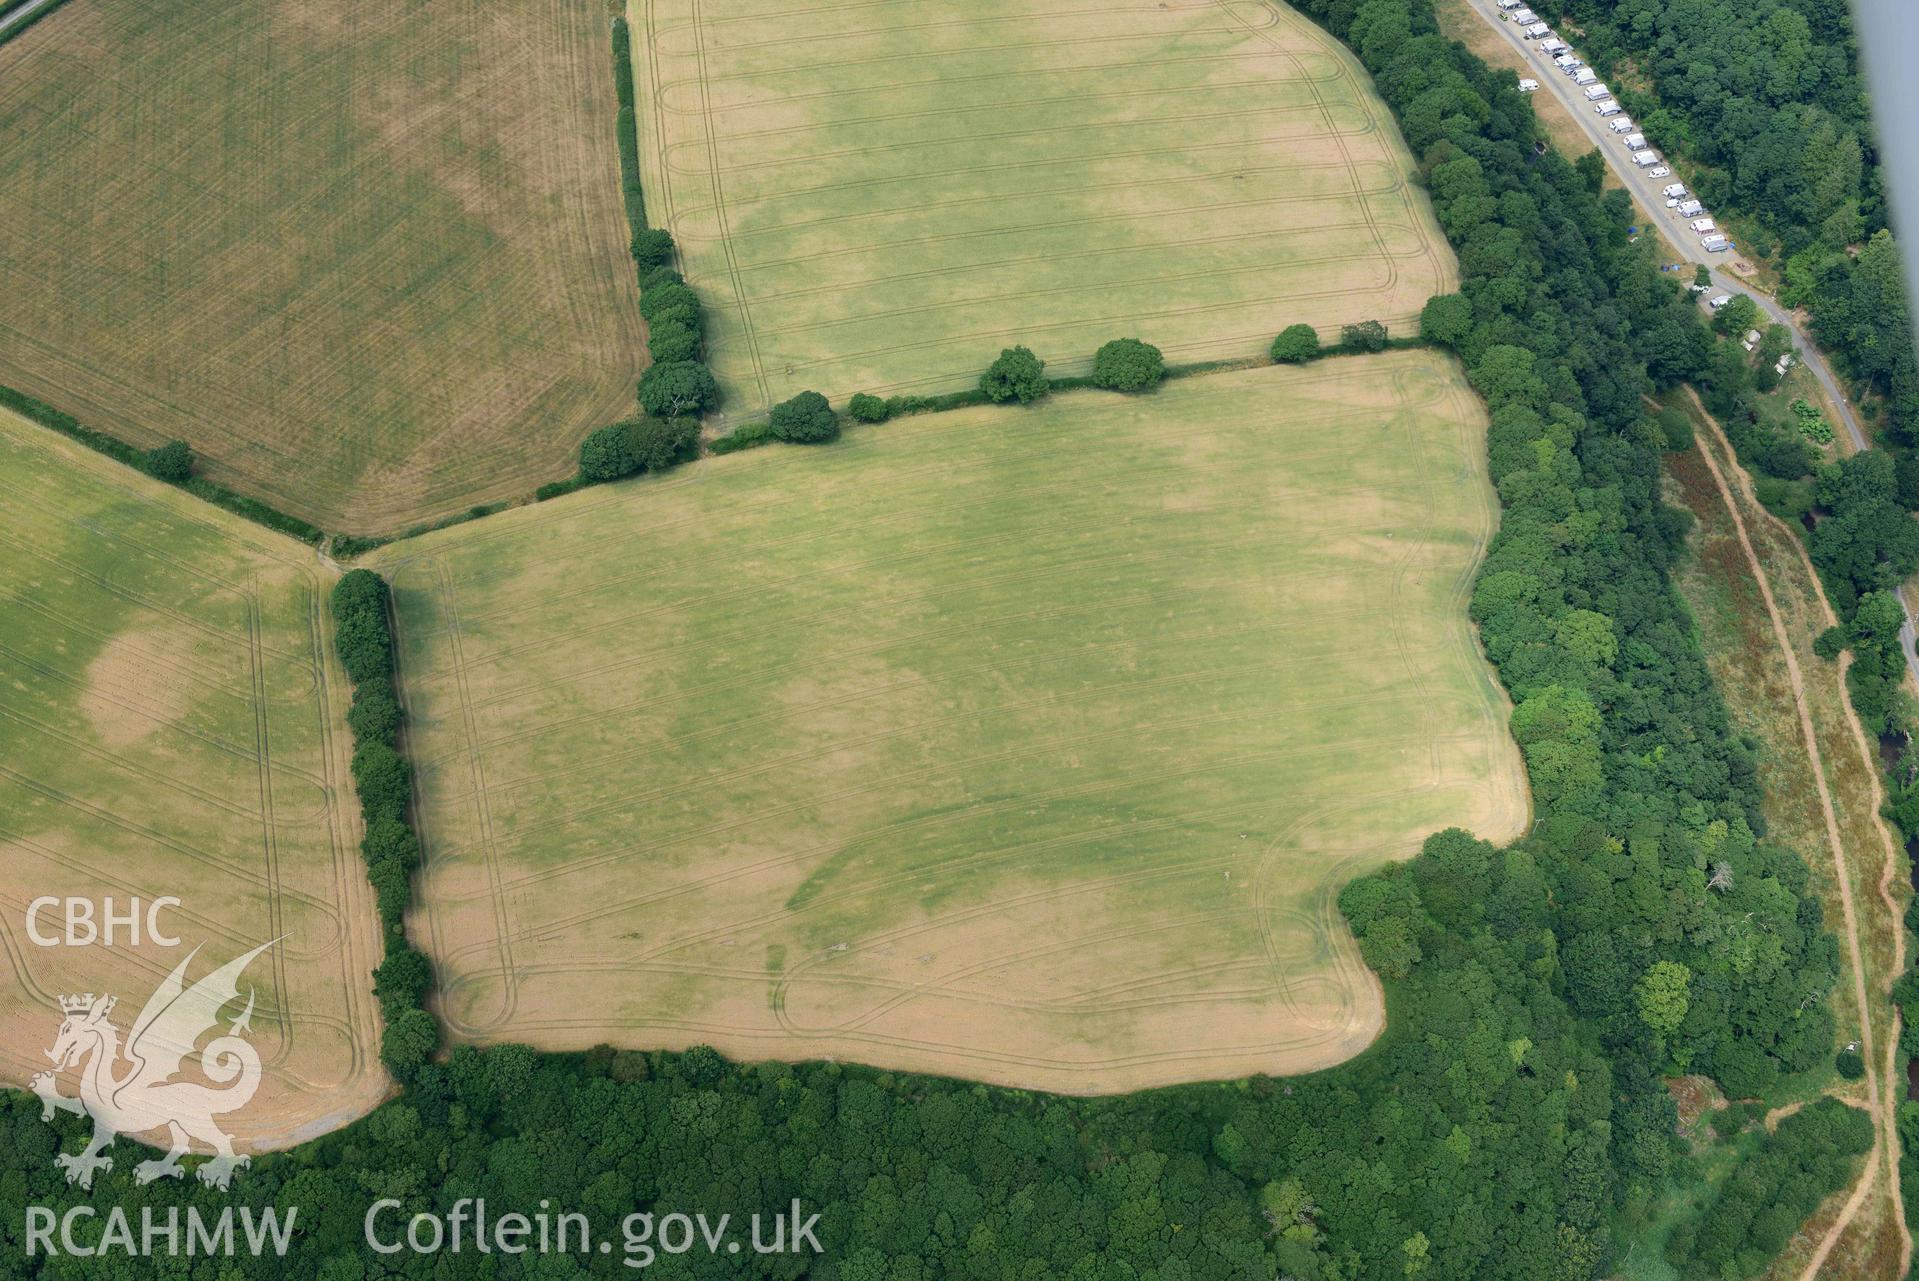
x: 1649, y: 195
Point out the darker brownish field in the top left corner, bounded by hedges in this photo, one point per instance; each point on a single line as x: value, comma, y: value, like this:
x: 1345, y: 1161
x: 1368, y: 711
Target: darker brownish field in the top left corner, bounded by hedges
x: 369, y: 260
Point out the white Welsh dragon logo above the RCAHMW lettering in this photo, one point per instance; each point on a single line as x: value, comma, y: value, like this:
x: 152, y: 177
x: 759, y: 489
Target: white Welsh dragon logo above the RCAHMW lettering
x: 131, y: 1090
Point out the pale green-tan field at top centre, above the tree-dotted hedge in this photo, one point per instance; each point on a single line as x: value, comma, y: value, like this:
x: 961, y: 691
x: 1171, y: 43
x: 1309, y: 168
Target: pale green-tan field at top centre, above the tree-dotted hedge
x: 882, y: 197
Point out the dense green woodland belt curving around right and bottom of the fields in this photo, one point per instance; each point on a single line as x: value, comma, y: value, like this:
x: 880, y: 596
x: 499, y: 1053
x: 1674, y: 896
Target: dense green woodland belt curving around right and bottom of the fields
x: 1513, y: 1115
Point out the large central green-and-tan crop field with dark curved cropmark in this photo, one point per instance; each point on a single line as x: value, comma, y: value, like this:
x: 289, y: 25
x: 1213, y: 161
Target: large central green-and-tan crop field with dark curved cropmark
x: 1018, y: 745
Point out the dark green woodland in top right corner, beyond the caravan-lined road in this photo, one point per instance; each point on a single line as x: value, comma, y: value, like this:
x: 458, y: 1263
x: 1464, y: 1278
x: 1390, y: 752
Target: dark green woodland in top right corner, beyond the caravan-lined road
x: 1766, y: 97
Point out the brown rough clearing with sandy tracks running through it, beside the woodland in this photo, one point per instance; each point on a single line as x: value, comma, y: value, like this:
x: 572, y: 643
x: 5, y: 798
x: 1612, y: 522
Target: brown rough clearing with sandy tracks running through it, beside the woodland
x: 1749, y: 664
